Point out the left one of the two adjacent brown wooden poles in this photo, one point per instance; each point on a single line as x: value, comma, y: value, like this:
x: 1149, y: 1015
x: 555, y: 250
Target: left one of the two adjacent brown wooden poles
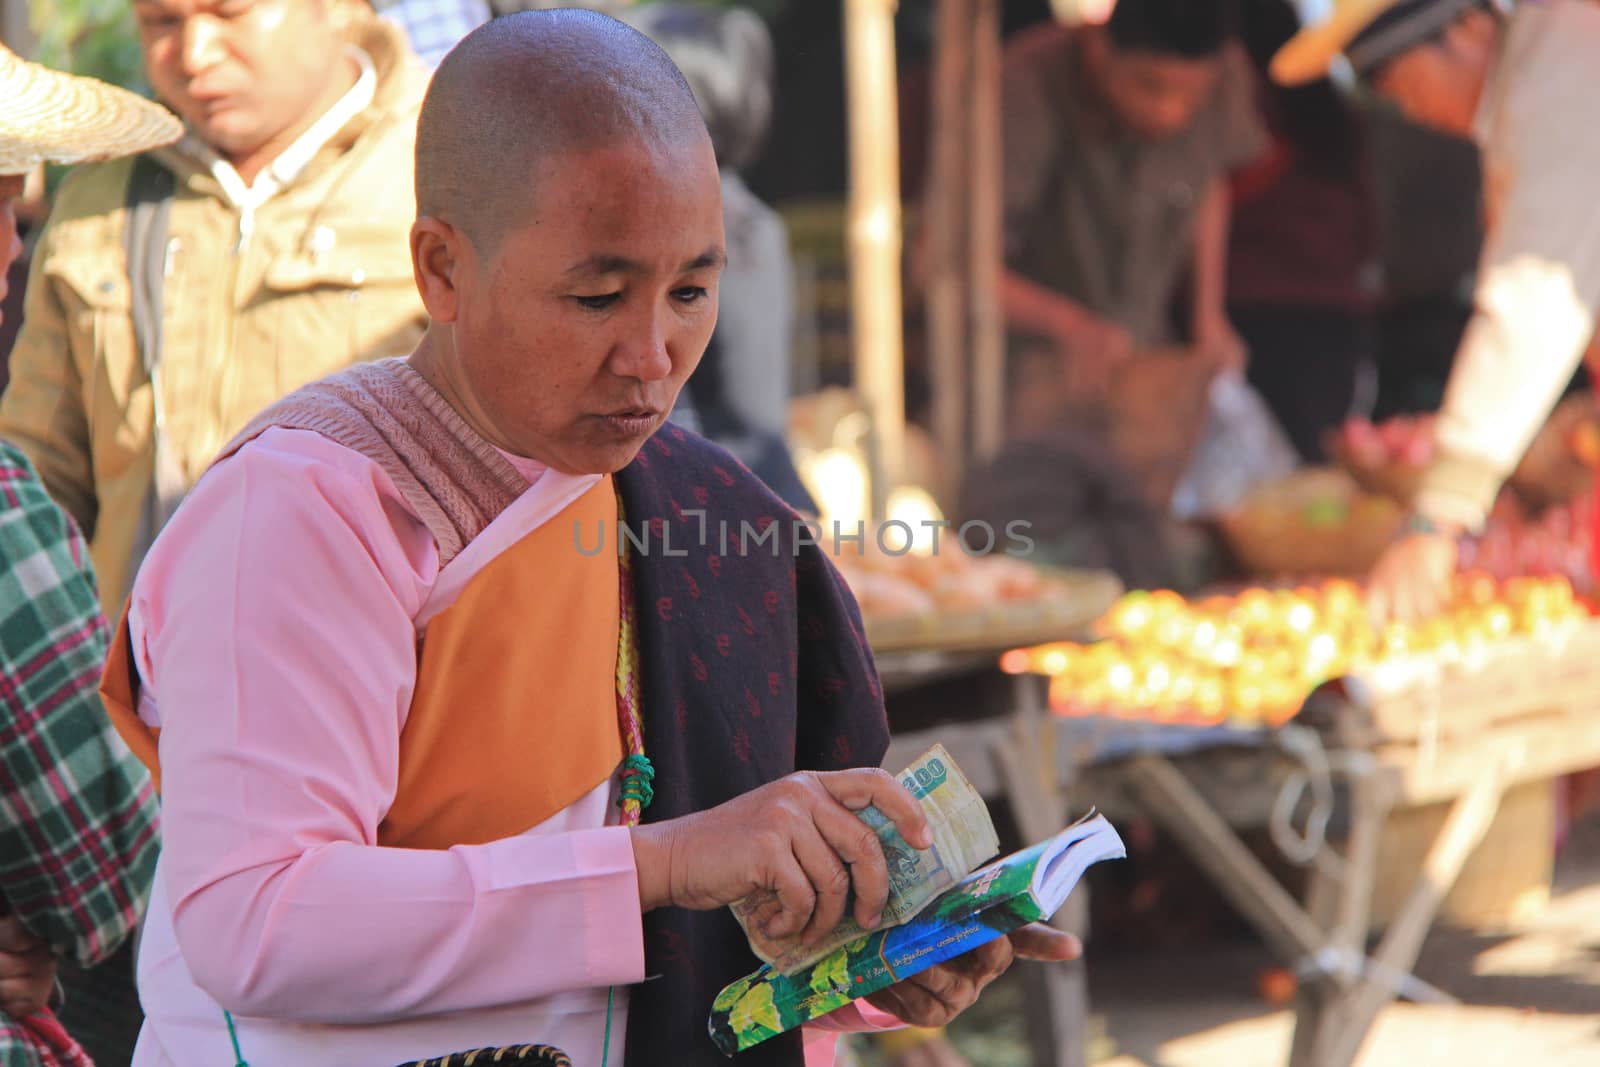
x: 946, y: 234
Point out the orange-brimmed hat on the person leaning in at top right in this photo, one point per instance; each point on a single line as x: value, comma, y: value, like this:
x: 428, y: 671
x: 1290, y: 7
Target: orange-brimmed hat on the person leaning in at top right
x: 1311, y: 52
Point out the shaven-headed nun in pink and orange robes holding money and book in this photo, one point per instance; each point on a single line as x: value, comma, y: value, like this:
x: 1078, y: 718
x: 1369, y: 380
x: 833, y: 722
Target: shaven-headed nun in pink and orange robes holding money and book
x: 441, y: 767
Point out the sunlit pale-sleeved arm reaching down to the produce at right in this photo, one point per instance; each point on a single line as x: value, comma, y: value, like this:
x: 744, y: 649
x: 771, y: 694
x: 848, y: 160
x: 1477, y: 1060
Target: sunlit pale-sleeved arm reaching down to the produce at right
x: 1537, y: 306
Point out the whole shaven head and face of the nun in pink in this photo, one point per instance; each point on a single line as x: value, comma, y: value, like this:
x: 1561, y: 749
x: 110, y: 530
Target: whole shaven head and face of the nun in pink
x: 569, y: 239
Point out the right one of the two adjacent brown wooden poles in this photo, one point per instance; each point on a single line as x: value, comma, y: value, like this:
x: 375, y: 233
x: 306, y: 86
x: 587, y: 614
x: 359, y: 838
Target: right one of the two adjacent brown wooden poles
x: 988, y: 238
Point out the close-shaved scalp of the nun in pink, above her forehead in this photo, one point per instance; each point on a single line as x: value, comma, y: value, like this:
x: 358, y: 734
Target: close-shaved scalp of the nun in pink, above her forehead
x: 524, y: 90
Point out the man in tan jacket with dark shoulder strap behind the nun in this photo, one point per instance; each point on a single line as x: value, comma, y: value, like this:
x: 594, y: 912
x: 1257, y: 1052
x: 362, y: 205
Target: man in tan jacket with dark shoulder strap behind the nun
x: 177, y: 295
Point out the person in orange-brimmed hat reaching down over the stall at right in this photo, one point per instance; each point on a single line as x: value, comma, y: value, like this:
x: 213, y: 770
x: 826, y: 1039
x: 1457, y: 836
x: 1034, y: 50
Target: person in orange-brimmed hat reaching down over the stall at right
x: 1521, y: 82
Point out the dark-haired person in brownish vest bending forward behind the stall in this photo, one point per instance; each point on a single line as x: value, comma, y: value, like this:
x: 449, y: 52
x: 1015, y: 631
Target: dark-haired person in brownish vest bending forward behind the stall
x: 1118, y: 146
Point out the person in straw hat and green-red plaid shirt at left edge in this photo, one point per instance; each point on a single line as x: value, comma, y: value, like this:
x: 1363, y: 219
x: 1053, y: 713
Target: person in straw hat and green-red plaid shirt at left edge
x: 78, y: 815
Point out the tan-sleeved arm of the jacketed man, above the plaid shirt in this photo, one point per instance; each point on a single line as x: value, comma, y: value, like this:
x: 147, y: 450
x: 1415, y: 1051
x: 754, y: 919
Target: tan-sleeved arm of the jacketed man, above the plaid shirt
x: 42, y: 410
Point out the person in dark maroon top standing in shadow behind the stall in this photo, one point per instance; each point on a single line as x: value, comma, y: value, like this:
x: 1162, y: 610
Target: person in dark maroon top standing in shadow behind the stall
x: 1303, y: 246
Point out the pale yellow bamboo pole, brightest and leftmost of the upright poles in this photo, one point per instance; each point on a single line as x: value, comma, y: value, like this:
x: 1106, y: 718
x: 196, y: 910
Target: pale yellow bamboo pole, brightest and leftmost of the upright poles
x: 874, y: 236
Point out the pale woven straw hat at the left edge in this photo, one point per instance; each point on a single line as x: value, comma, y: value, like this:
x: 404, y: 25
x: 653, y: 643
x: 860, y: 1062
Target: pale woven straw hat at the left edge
x: 54, y: 118
